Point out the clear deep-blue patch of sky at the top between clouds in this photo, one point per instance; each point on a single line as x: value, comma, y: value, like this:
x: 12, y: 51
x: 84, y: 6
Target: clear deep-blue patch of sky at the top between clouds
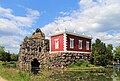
x: 49, y: 9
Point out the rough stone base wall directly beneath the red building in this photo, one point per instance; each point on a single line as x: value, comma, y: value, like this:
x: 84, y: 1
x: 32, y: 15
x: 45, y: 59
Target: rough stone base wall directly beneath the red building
x: 64, y: 59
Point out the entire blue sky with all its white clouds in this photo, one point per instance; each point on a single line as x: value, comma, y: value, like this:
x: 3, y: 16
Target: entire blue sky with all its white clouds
x: 19, y: 18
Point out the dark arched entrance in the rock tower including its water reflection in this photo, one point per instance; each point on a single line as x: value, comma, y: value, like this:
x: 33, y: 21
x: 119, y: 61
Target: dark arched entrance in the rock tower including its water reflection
x: 35, y: 66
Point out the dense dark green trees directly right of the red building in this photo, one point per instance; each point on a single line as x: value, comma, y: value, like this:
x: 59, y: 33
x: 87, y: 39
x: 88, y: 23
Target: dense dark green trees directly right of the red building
x: 101, y: 55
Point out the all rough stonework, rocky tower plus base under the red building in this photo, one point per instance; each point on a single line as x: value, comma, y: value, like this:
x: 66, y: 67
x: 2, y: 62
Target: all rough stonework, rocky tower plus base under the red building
x: 34, y: 52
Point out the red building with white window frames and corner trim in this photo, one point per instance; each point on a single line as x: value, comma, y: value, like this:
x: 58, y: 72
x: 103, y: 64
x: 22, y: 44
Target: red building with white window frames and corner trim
x: 70, y: 42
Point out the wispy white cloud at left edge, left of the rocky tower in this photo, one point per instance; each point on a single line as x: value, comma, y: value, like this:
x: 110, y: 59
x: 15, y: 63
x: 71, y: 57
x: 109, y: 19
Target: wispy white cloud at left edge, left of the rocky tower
x: 13, y: 28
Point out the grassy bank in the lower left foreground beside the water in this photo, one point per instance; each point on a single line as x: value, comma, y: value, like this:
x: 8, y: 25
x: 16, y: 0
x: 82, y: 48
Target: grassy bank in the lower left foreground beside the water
x: 12, y: 74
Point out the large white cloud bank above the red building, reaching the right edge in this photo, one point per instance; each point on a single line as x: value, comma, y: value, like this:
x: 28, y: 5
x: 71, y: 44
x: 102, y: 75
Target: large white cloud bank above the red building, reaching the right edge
x: 99, y: 18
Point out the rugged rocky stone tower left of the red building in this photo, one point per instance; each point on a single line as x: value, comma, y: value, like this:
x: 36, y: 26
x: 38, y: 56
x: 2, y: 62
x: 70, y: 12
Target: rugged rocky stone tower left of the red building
x: 33, y: 47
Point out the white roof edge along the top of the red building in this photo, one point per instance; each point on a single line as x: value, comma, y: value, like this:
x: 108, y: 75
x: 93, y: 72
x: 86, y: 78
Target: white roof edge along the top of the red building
x: 71, y: 33
